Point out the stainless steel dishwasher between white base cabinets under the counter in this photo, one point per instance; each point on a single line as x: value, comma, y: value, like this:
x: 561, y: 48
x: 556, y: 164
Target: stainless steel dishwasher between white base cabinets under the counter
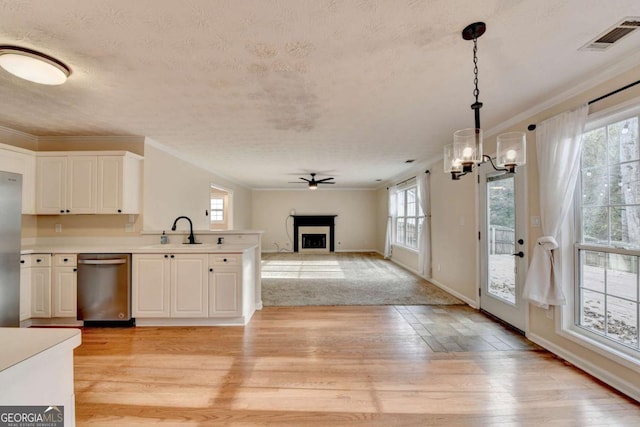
x: 104, y: 289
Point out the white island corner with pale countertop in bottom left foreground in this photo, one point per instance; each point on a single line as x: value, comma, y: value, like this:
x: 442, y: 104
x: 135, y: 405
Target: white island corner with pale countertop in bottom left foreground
x: 36, y: 369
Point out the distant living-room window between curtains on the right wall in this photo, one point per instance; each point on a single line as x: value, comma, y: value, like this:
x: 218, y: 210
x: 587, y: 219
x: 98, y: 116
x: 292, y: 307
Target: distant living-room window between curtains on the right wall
x: 409, y: 217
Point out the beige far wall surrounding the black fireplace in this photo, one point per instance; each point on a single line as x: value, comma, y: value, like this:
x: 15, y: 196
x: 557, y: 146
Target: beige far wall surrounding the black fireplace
x: 357, y: 212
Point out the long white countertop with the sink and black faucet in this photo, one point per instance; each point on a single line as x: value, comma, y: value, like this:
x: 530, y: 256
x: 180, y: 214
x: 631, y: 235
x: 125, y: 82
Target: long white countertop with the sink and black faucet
x: 227, y: 248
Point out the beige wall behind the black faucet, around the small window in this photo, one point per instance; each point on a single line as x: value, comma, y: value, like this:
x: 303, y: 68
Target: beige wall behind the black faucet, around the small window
x: 174, y: 187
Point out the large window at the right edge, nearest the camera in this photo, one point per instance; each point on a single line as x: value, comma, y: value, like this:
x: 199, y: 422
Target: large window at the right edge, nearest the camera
x: 607, y: 304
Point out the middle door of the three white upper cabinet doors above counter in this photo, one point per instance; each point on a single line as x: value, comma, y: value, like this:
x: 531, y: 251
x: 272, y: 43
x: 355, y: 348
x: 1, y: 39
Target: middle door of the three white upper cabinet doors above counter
x: 82, y: 175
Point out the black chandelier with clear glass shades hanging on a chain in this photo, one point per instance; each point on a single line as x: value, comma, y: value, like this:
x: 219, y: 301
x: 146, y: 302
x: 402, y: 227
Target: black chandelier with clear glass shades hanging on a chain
x: 466, y: 150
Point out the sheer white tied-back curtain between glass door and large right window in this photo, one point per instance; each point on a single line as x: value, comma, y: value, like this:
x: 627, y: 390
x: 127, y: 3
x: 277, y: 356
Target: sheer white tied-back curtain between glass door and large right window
x: 558, y: 146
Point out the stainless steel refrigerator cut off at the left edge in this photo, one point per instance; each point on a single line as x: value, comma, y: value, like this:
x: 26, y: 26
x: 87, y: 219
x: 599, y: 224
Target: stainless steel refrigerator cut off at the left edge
x: 10, y: 225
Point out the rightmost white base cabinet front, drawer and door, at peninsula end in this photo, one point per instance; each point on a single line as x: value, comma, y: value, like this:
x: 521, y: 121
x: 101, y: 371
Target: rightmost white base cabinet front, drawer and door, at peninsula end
x: 225, y: 285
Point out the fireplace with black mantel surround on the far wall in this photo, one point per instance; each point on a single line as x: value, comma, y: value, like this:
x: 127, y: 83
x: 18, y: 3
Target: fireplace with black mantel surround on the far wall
x: 313, y: 233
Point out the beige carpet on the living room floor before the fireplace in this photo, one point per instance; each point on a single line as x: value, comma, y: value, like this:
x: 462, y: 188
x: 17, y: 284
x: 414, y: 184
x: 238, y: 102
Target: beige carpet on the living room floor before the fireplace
x: 294, y: 279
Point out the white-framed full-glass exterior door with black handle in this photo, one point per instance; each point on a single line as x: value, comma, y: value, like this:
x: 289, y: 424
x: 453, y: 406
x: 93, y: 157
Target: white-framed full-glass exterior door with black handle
x: 503, y: 246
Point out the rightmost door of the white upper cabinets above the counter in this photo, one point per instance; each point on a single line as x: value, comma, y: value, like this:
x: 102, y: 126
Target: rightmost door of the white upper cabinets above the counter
x: 110, y: 176
